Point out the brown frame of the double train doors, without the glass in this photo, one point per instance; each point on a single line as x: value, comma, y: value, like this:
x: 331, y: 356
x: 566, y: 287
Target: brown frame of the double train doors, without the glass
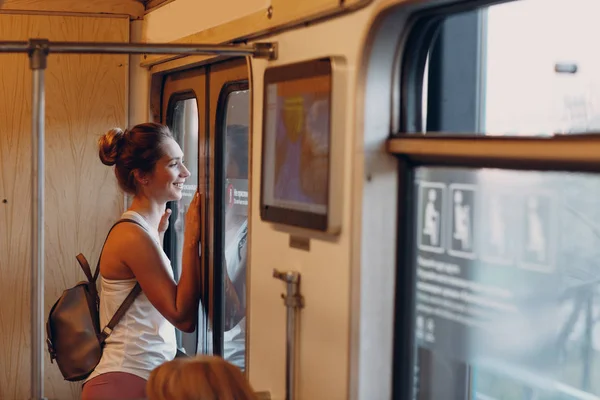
x: 208, y: 83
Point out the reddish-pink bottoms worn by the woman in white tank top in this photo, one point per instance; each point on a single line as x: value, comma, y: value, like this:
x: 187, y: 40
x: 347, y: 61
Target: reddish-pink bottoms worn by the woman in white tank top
x: 114, y: 385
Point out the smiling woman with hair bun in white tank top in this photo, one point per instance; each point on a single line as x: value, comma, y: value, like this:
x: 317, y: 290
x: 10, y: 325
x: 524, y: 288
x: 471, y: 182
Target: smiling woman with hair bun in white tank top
x: 148, y: 165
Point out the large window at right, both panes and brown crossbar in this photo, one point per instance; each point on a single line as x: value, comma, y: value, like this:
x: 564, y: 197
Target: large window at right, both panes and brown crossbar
x: 498, y: 271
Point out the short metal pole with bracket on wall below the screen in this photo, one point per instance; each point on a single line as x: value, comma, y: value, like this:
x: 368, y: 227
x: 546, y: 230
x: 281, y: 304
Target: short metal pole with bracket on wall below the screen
x: 293, y: 301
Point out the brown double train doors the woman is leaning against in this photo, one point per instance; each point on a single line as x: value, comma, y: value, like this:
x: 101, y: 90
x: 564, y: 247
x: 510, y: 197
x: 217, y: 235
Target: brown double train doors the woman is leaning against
x: 208, y: 112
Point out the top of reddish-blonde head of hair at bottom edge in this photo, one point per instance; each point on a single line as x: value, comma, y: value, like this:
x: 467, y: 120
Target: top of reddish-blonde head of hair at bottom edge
x: 198, y: 378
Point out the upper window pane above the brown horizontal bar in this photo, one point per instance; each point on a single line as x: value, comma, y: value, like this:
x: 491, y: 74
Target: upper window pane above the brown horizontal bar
x: 521, y: 68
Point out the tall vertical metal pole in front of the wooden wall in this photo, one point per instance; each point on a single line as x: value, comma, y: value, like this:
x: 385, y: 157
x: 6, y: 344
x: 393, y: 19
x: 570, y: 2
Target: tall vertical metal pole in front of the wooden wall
x: 37, y: 56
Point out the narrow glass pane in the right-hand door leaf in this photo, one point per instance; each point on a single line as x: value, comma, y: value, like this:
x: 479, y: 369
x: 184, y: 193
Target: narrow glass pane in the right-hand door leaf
x: 235, y: 208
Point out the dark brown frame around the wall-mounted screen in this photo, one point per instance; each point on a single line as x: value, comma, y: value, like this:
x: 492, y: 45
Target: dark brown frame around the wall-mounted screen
x: 279, y: 214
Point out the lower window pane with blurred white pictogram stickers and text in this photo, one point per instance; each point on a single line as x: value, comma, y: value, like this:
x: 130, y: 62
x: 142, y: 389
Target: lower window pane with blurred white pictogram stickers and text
x: 507, y: 284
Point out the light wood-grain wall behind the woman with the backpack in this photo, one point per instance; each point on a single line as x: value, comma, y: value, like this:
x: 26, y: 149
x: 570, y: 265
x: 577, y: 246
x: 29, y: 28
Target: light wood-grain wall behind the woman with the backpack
x: 85, y: 96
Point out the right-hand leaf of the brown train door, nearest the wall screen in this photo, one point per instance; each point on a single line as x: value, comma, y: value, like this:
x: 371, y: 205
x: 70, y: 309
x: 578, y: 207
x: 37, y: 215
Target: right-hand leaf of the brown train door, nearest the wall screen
x: 229, y: 128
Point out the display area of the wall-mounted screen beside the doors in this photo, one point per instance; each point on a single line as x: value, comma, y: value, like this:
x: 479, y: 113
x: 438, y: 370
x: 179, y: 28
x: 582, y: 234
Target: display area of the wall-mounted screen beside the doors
x: 297, y: 140
